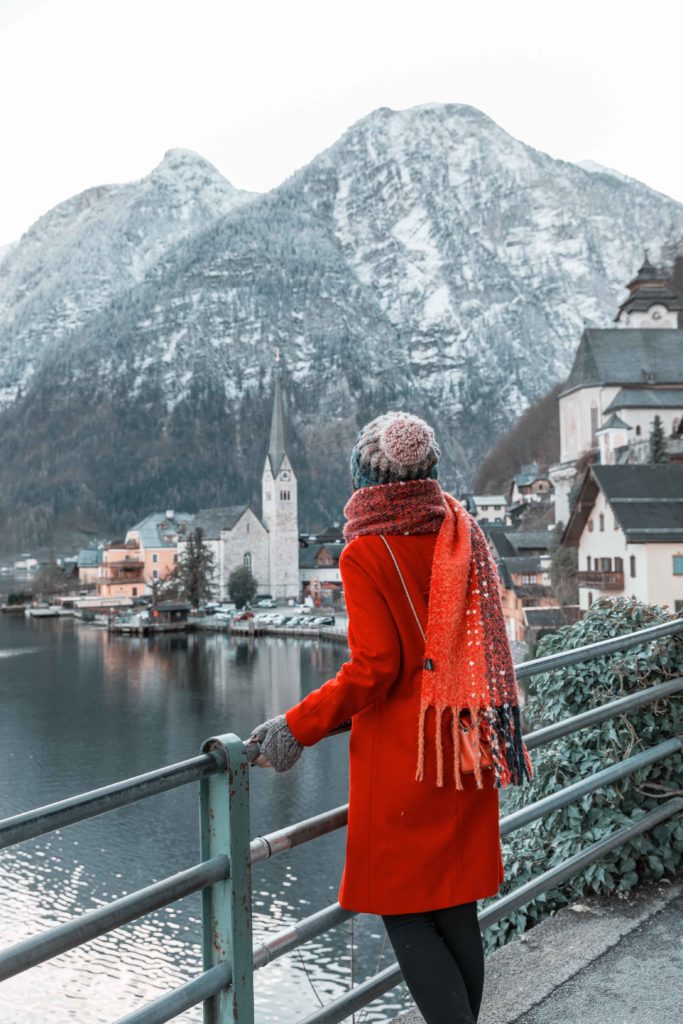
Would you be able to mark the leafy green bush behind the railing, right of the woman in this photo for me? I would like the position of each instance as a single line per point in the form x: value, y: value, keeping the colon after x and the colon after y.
x: 560, y: 695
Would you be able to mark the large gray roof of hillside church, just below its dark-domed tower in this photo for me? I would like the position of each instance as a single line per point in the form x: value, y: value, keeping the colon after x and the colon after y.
x: 625, y: 356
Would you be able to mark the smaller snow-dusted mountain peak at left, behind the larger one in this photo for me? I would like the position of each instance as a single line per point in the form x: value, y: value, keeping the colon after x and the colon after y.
x: 95, y: 246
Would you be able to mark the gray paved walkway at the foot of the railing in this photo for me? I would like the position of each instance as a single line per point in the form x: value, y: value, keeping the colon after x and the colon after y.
x: 599, y: 962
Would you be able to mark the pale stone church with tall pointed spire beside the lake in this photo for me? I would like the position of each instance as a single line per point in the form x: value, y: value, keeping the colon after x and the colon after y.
x: 268, y: 546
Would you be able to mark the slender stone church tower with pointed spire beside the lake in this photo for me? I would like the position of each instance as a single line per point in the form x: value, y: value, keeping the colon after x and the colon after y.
x: 279, y: 501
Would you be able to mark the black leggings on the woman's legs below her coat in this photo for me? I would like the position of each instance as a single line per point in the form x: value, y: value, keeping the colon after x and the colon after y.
x: 441, y: 955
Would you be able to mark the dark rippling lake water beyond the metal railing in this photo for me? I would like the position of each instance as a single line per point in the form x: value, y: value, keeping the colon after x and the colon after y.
x: 80, y: 709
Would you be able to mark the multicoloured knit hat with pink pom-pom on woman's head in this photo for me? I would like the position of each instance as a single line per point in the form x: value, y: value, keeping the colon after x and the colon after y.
x: 393, y: 448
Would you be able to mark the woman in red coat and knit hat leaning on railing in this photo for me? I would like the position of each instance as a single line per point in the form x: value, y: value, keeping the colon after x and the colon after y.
x: 431, y: 665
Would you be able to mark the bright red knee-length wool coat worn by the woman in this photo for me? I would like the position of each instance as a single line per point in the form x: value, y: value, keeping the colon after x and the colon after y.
x: 410, y: 846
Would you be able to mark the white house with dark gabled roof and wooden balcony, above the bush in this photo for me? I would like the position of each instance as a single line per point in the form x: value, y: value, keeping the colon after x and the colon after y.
x: 628, y: 526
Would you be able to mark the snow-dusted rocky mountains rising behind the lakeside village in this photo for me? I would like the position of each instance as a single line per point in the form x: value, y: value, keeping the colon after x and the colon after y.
x: 428, y: 262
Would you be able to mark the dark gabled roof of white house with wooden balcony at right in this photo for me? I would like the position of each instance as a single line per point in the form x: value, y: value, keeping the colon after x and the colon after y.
x: 648, y: 502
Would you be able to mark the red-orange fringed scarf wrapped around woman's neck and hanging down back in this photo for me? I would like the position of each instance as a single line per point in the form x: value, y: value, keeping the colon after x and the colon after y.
x: 468, y: 664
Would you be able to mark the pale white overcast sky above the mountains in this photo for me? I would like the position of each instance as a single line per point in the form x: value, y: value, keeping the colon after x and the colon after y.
x: 96, y: 92
